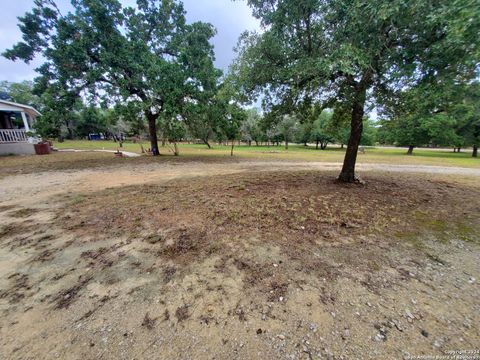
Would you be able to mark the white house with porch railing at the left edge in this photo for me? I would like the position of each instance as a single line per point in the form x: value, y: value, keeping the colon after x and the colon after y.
x: 16, y: 120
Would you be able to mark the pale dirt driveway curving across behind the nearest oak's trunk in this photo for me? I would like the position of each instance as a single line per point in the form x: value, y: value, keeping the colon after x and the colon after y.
x: 33, y: 187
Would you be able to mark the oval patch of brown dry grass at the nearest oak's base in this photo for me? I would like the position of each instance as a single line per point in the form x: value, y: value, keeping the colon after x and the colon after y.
x: 304, y: 204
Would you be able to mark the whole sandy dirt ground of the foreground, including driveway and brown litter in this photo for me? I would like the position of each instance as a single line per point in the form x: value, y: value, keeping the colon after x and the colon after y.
x: 245, y: 260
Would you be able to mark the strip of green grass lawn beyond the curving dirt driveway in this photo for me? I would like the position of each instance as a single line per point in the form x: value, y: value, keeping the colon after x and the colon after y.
x: 295, y: 152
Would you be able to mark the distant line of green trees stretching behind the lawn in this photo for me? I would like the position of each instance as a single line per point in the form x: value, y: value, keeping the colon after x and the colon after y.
x: 454, y: 124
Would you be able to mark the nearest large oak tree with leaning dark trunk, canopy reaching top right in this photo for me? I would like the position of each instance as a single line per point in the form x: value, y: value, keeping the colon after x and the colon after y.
x: 355, y: 52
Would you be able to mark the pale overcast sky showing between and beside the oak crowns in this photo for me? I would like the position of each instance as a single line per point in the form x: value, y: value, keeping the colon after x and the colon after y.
x: 229, y: 17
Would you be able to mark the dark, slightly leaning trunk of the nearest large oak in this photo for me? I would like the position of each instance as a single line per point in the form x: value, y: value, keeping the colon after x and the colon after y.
x: 356, y: 128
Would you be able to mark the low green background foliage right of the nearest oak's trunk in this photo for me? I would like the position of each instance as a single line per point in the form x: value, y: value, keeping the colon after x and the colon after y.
x: 440, y: 114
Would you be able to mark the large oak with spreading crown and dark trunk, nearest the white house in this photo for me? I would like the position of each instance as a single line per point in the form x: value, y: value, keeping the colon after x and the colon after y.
x: 146, y: 54
